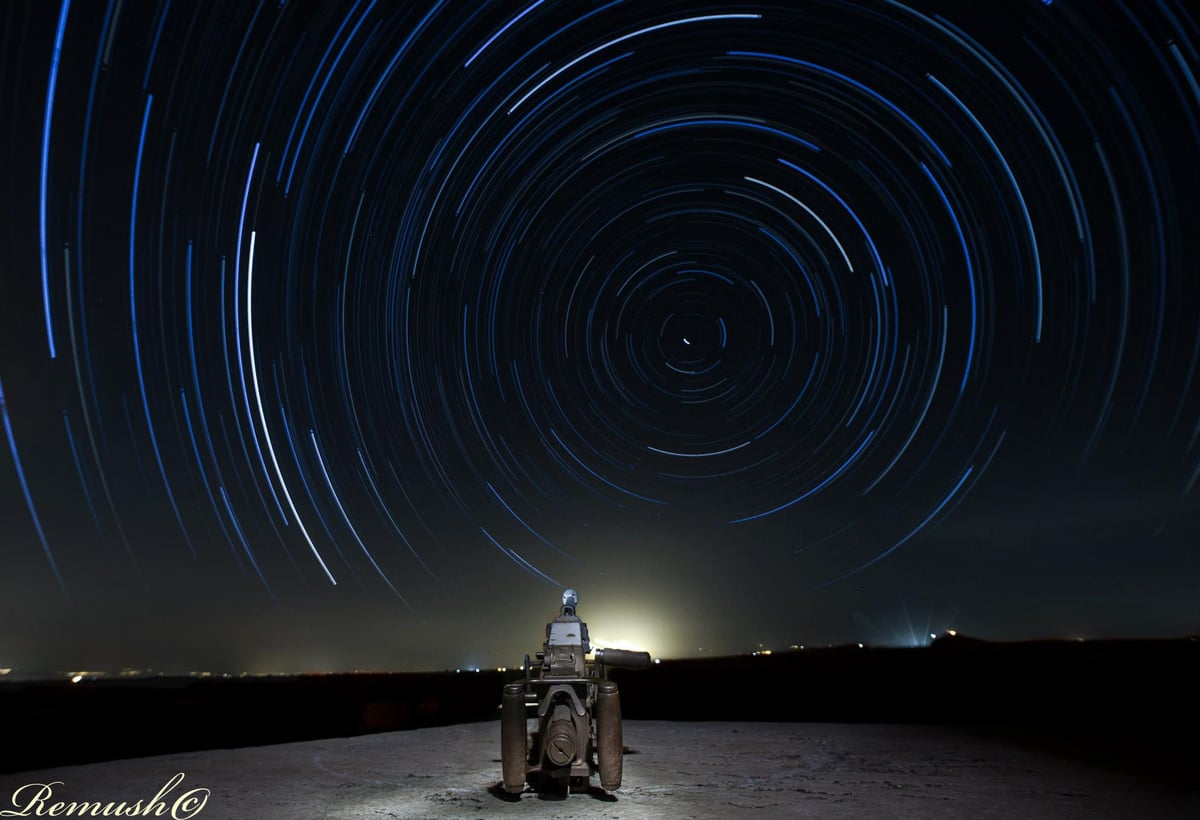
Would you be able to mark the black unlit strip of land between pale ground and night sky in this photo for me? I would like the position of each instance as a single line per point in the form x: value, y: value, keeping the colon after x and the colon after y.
x: 1120, y: 705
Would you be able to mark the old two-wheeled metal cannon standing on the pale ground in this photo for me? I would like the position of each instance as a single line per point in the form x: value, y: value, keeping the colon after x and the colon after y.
x: 561, y: 723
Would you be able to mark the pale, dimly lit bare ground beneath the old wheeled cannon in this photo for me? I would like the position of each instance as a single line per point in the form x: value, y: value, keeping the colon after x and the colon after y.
x: 675, y: 770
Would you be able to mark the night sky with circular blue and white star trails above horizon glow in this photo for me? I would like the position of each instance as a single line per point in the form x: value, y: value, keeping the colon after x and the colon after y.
x: 344, y: 336
